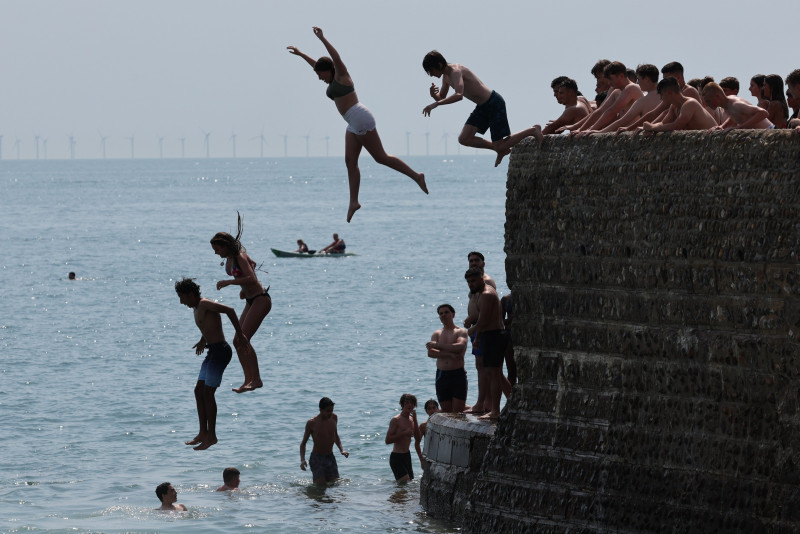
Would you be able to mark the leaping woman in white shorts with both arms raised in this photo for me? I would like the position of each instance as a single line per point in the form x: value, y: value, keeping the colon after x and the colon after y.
x: 361, y: 130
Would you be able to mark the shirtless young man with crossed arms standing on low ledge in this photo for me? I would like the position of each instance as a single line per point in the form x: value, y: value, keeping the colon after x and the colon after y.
x: 447, y: 346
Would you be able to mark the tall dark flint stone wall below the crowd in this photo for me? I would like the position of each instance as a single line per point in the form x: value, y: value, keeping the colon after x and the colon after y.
x: 656, y: 326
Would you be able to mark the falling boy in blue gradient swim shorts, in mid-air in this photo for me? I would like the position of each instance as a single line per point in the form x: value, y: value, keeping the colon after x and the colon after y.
x: 207, y: 316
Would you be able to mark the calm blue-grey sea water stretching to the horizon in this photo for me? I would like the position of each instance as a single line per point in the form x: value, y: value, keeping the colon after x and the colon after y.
x: 96, y: 375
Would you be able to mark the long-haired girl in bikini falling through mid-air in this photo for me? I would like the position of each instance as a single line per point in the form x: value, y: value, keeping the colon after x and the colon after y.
x: 258, y: 302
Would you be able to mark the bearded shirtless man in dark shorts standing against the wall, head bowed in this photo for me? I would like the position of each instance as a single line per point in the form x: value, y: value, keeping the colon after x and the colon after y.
x: 490, y: 336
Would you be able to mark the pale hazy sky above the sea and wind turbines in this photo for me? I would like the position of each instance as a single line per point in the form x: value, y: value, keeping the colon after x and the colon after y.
x: 171, y: 73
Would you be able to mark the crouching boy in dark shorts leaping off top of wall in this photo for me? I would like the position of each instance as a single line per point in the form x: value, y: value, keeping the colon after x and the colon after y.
x: 490, y: 108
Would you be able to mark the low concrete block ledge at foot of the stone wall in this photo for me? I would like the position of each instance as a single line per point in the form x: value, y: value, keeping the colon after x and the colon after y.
x: 455, y: 445
